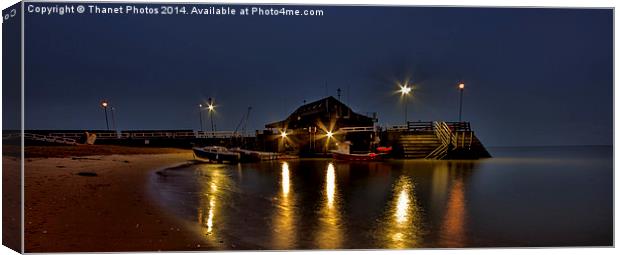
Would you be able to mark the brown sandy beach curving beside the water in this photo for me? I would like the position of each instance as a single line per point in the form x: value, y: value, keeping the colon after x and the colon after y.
x: 113, y: 211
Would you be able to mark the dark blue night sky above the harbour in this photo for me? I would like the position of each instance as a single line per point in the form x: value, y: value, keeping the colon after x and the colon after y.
x: 534, y: 76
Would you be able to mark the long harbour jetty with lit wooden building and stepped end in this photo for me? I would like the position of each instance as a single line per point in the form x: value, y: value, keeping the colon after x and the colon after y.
x: 312, y: 130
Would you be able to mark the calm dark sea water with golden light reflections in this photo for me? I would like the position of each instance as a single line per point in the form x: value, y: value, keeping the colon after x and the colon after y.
x: 551, y: 196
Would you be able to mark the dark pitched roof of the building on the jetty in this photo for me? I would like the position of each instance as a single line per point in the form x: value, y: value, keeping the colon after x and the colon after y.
x: 327, y: 110
